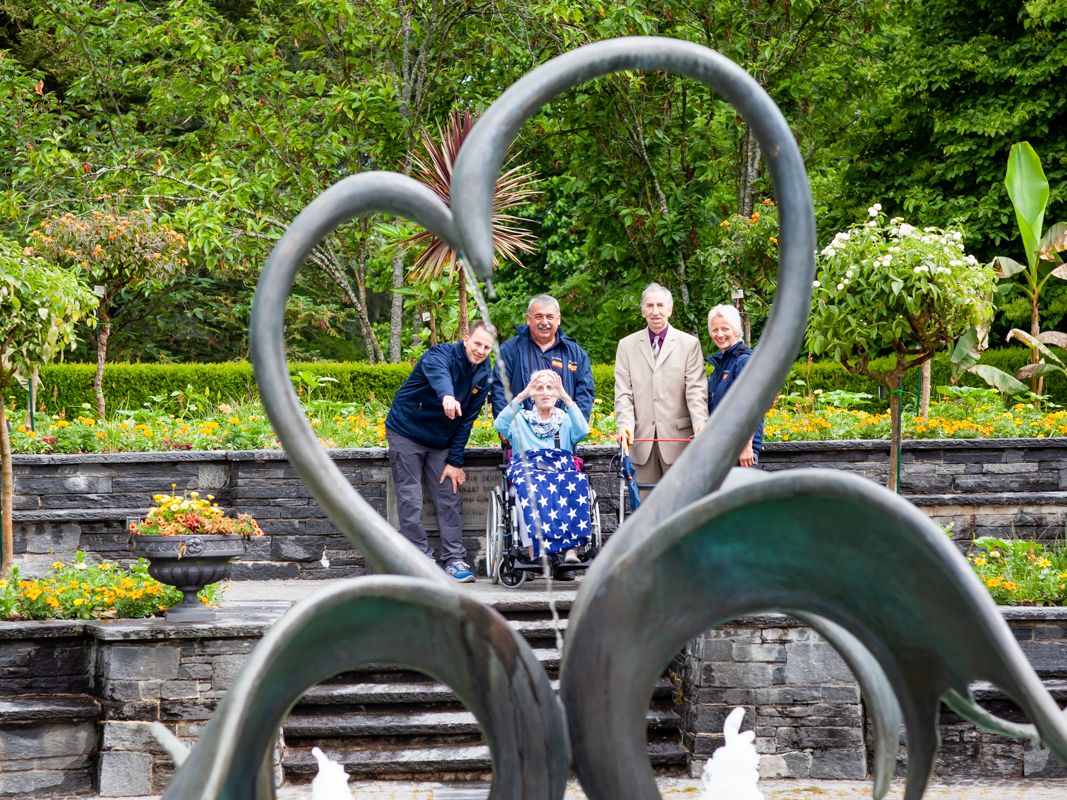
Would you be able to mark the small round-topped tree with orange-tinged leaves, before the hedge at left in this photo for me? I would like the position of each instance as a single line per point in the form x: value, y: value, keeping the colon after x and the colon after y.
x: 130, y: 260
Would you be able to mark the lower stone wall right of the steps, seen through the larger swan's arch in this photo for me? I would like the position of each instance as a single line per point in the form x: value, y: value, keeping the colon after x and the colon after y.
x: 808, y: 715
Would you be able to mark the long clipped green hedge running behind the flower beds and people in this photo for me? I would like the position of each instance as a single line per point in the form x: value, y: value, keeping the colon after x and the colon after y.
x: 69, y: 387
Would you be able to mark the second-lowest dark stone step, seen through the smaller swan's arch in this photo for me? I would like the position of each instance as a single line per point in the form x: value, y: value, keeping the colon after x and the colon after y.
x: 405, y: 723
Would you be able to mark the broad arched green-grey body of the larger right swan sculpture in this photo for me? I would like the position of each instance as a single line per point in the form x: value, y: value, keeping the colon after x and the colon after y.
x: 817, y: 541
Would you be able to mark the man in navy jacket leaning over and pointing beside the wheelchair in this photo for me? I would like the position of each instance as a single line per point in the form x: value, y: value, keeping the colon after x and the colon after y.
x: 427, y: 430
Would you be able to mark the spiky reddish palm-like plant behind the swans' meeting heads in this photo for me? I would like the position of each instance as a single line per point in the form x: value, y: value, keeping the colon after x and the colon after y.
x: 434, y: 167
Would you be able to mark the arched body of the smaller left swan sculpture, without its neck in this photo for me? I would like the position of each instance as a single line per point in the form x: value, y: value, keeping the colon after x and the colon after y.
x: 386, y: 620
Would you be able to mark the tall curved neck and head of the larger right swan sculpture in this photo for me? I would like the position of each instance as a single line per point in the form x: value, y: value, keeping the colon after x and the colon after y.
x: 706, y: 465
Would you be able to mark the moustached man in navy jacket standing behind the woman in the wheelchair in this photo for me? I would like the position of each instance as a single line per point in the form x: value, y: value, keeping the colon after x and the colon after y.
x: 542, y: 345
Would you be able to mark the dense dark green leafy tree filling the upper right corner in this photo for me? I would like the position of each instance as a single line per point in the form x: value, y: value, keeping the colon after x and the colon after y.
x: 959, y: 84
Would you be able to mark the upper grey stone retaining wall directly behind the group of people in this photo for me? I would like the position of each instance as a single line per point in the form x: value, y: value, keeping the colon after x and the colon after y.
x: 70, y: 503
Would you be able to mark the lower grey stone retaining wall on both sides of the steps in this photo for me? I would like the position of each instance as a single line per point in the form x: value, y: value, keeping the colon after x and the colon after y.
x: 115, y: 678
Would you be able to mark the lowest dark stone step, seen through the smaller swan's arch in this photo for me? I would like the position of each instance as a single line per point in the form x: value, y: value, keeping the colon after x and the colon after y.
x: 427, y: 762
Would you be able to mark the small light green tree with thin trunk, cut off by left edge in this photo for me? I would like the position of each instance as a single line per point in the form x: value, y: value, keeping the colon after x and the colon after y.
x: 40, y: 305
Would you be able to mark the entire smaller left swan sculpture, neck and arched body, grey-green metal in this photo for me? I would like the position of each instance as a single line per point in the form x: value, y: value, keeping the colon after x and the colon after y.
x: 422, y: 622
